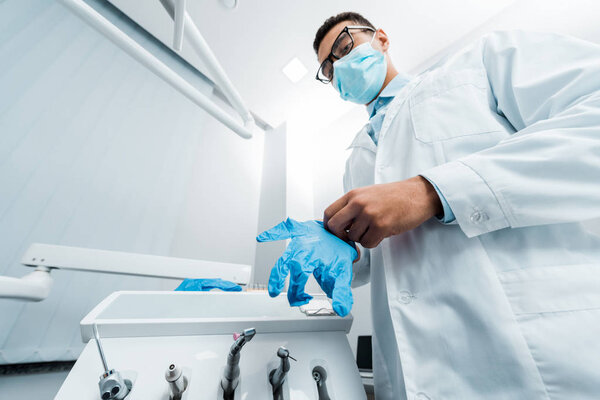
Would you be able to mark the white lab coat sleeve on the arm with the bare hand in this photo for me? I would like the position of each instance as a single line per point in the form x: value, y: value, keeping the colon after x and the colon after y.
x: 548, y: 88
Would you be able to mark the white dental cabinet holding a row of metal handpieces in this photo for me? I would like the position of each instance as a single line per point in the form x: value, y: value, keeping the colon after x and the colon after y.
x: 145, y: 334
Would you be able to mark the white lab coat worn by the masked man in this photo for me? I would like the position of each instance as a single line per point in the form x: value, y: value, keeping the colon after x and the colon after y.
x: 505, y: 302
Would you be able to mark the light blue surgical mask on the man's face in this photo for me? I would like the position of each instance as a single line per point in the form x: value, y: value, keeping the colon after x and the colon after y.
x: 359, y: 75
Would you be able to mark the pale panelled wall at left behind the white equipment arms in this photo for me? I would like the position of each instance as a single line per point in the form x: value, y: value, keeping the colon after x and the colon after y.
x: 96, y: 151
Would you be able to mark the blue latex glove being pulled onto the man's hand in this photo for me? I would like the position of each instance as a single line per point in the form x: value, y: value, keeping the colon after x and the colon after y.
x: 312, y: 250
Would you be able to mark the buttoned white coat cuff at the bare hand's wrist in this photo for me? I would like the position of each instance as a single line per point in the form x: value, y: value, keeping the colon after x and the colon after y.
x: 475, y: 205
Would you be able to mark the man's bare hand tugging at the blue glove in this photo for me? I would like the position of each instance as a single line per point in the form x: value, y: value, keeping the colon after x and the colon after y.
x: 369, y: 214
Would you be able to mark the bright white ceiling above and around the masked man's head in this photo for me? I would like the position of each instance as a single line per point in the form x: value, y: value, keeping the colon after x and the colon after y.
x: 257, y: 39
